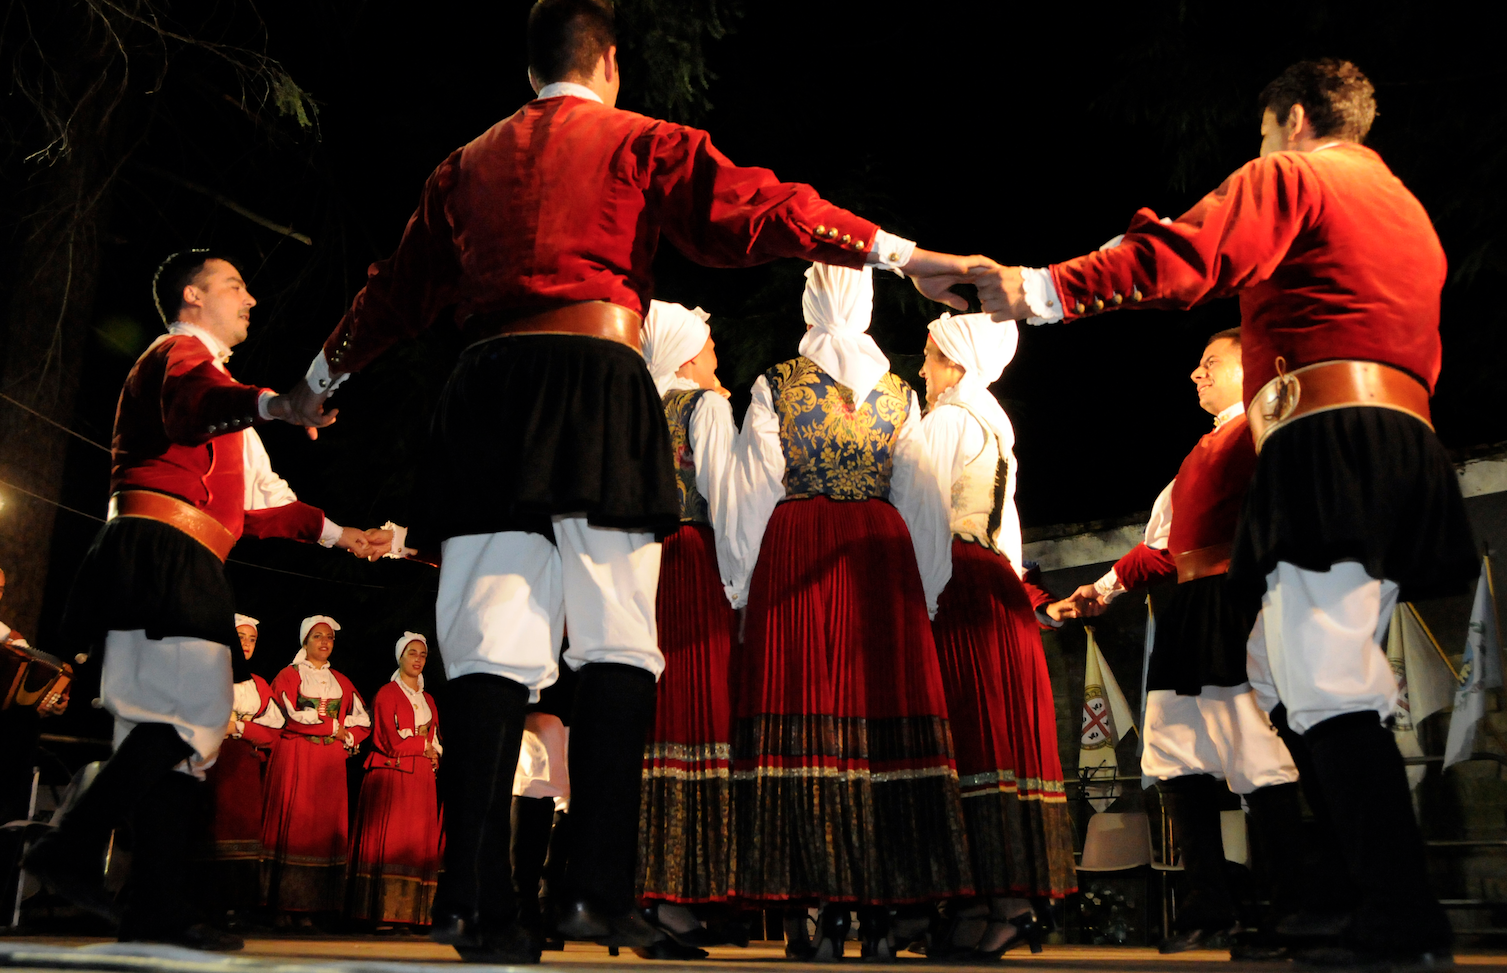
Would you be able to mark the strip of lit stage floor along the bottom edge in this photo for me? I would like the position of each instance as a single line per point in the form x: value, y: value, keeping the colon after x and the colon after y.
x: 414, y: 956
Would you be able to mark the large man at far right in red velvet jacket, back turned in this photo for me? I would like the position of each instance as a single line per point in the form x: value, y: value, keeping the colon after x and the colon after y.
x: 1354, y: 502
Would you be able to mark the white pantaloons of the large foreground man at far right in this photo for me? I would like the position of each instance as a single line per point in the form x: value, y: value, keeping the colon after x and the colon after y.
x: 1319, y: 644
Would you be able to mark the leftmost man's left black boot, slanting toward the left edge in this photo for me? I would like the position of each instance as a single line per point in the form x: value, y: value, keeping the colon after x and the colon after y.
x: 70, y: 861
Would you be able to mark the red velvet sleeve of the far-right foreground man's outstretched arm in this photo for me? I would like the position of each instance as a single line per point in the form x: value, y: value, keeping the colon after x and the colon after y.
x: 1230, y: 240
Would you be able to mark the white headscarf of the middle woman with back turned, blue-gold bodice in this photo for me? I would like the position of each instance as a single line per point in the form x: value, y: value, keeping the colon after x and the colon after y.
x: 839, y: 305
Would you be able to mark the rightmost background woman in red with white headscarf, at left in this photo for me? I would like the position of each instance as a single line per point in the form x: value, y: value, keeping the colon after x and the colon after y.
x: 397, y: 850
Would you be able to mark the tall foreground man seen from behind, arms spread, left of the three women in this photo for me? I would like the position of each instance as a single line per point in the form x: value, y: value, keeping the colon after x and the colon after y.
x: 552, y: 475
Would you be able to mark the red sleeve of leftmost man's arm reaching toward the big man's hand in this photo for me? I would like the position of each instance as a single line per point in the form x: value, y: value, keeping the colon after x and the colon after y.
x: 198, y: 400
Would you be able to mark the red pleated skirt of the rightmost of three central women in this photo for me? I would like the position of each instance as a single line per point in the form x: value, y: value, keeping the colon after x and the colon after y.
x: 1004, y: 730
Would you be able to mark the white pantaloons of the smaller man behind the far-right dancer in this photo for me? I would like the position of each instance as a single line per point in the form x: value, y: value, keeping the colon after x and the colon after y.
x: 1223, y: 733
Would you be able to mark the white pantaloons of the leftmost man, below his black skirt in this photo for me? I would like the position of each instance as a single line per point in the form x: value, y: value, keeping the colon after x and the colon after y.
x: 185, y: 683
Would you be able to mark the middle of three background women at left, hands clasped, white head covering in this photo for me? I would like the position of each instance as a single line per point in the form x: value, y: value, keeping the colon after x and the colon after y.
x: 305, y: 826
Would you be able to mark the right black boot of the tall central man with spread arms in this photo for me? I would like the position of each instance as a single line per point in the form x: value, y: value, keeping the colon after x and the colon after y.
x: 611, y: 719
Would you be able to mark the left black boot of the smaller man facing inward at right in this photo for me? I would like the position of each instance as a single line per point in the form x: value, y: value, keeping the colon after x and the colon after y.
x: 1206, y: 914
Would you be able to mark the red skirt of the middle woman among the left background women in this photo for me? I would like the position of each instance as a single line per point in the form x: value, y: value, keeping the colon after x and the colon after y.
x: 305, y: 826
